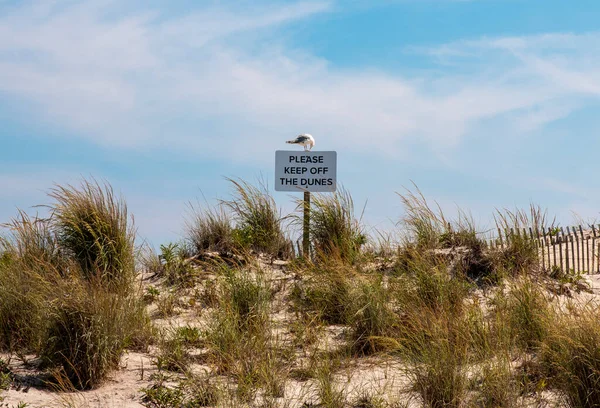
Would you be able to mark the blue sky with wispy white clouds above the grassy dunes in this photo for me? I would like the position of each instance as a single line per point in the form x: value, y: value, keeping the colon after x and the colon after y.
x: 483, y: 104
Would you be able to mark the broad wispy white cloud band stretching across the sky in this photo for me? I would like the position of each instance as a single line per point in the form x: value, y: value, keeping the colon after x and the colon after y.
x: 219, y: 81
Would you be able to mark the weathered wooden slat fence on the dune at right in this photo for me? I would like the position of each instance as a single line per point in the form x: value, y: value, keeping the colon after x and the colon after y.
x: 570, y: 248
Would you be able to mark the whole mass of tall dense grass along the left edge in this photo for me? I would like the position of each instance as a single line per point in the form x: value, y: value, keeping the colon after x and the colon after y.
x: 66, y: 285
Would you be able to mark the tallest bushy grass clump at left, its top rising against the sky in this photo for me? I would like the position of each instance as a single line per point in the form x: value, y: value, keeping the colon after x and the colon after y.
x: 92, y: 224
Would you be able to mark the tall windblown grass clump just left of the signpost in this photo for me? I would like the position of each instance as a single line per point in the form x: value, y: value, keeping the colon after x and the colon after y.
x: 258, y: 222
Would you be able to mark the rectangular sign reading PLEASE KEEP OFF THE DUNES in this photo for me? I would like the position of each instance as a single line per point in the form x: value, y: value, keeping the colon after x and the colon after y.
x: 308, y: 171
